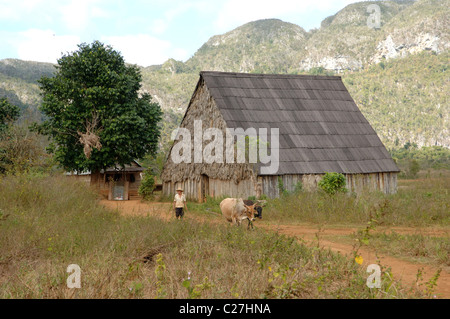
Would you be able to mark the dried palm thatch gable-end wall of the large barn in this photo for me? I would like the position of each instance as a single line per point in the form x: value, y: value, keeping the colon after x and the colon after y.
x: 201, y: 179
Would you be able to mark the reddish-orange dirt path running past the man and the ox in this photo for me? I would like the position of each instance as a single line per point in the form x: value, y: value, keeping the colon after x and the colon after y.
x: 403, y: 270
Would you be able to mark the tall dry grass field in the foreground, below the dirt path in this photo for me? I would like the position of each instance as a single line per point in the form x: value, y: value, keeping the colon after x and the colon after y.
x: 47, y: 223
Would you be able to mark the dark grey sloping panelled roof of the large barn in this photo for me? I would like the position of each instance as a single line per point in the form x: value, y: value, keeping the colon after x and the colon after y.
x: 321, y: 128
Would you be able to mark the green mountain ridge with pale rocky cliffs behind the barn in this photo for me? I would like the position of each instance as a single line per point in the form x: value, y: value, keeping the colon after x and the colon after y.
x: 397, y: 71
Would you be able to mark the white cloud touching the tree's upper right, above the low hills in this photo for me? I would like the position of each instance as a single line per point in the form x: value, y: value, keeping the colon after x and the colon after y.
x: 144, y: 50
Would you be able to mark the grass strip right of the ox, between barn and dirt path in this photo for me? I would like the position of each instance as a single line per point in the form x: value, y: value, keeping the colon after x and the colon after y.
x: 417, y: 203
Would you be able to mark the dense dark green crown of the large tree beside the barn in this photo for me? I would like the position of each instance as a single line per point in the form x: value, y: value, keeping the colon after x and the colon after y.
x: 94, y: 112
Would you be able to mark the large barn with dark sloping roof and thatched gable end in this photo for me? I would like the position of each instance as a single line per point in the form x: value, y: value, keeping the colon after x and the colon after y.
x: 320, y: 130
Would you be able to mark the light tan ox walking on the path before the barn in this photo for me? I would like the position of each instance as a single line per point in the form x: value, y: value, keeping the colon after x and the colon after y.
x: 234, y: 210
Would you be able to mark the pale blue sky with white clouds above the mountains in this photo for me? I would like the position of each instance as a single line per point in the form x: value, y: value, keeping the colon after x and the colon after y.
x: 145, y: 32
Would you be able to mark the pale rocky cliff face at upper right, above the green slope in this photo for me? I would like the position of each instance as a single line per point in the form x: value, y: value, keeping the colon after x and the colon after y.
x: 348, y: 40
